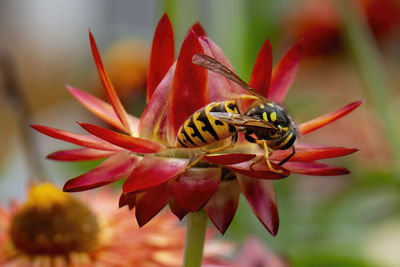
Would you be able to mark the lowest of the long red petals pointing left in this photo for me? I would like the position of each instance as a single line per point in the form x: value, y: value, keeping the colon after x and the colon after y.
x: 111, y: 170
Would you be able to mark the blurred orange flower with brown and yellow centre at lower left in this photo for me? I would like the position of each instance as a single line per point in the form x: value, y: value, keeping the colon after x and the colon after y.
x: 55, y: 229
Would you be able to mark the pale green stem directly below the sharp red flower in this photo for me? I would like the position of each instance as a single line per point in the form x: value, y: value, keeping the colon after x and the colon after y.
x: 195, y: 235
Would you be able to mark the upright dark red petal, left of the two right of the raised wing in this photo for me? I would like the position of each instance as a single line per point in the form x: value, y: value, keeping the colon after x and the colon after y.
x: 260, y: 78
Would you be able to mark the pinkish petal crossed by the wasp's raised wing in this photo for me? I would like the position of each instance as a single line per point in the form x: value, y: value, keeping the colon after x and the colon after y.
x: 220, y: 88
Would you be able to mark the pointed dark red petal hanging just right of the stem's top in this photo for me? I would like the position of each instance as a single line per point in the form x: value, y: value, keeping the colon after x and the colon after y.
x: 222, y: 206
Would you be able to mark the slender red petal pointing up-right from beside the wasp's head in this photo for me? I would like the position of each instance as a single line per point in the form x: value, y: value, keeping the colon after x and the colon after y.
x: 323, y: 120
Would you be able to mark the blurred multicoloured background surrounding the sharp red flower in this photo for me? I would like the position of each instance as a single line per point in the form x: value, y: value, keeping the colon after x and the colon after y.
x: 351, y: 220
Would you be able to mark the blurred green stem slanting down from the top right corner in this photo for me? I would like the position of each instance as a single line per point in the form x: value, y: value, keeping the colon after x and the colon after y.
x: 369, y: 61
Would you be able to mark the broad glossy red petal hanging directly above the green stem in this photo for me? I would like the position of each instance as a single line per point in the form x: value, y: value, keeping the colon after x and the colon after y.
x: 195, y: 187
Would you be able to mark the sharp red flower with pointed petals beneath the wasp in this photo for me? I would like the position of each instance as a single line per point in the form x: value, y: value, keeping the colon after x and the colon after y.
x: 176, y: 89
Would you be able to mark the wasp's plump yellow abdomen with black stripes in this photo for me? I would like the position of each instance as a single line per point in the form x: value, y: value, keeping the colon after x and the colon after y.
x: 203, y: 129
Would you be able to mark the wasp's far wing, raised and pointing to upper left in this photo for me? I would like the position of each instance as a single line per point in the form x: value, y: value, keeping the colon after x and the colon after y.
x: 216, y: 66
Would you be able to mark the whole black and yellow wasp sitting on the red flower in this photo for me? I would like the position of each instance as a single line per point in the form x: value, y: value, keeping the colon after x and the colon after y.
x: 264, y: 123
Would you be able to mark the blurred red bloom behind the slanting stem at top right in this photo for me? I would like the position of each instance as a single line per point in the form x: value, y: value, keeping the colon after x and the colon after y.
x: 318, y: 22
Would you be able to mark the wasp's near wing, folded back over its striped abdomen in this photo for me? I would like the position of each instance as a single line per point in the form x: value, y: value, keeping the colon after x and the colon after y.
x: 242, y: 120
